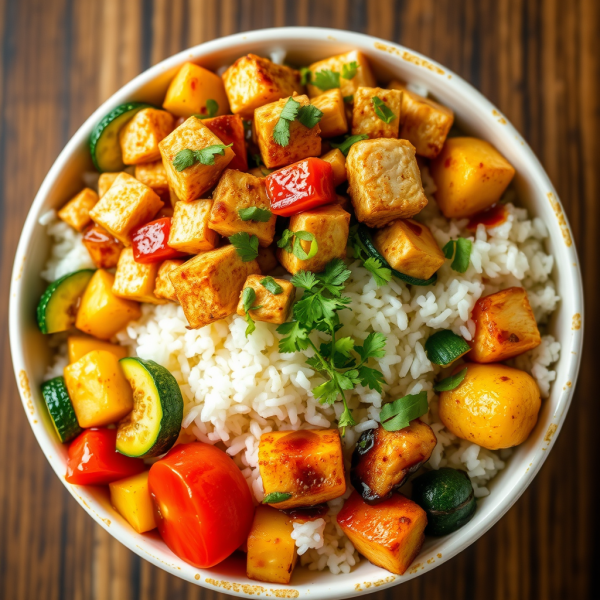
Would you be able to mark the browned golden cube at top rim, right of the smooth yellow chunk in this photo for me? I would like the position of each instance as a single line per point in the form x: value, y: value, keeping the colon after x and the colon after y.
x: 252, y: 81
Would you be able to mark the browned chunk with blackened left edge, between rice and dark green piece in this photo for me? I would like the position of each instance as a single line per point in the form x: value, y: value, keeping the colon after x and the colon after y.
x: 382, y: 460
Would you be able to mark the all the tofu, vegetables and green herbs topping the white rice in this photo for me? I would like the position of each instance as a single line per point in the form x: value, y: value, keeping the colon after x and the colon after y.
x: 194, y: 225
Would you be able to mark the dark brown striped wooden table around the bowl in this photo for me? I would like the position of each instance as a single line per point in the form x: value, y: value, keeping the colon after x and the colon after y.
x: 538, y: 60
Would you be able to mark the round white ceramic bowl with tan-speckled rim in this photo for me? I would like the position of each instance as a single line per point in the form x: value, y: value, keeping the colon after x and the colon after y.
x: 476, y: 116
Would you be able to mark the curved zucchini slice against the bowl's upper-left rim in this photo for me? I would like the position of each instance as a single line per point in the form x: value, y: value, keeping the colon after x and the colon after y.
x: 104, y: 141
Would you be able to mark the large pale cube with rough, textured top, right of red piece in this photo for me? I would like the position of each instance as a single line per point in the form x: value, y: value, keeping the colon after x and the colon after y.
x: 385, y: 181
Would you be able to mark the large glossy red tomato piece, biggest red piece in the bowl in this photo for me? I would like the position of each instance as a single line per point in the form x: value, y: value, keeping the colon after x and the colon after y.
x: 202, y: 503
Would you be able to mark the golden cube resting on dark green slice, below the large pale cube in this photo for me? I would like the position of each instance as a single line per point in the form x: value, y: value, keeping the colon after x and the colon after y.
x: 410, y: 248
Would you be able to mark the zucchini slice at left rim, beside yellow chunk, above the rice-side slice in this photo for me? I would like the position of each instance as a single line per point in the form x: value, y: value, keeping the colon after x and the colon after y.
x: 58, y: 305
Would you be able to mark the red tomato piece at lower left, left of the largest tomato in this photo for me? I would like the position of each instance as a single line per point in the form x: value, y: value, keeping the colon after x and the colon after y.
x: 94, y: 460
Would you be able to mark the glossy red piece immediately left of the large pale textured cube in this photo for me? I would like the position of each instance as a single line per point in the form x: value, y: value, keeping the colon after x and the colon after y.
x: 304, y: 185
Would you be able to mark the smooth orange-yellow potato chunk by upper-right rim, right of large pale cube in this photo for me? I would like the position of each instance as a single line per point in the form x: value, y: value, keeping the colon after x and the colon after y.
x: 470, y: 175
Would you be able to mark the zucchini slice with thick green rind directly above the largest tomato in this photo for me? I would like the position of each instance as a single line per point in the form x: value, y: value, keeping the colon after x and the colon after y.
x: 152, y: 427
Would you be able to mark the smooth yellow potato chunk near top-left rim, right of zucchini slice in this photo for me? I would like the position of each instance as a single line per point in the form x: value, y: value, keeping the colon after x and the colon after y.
x: 191, y: 88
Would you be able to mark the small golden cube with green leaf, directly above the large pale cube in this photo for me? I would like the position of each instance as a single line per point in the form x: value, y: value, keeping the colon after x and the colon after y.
x: 364, y: 115
